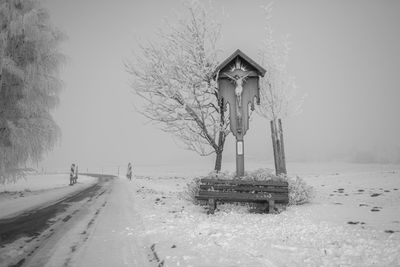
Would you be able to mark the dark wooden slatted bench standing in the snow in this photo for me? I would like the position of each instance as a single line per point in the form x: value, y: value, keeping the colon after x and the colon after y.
x: 265, y: 193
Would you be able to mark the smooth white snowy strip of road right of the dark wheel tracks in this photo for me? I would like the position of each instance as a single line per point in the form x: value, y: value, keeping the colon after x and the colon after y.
x: 115, y: 236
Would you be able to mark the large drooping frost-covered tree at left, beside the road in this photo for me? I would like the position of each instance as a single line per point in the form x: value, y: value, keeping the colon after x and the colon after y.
x: 29, y: 85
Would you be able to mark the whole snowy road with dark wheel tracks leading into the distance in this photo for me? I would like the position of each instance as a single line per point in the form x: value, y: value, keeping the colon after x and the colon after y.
x: 97, y: 227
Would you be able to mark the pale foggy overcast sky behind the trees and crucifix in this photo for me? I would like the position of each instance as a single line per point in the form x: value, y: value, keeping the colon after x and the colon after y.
x: 345, y: 56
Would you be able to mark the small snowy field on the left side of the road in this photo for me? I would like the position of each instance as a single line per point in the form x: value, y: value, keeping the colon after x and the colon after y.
x: 36, y: 190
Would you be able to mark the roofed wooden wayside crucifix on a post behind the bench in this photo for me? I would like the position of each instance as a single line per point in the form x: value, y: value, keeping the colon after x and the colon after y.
x: 238, y: 87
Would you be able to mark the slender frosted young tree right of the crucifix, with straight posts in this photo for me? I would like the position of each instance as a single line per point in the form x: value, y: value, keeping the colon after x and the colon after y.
x: 277, y: 89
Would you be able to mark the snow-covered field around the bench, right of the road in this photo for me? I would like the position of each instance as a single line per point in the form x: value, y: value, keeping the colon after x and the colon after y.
x: 354, y: 220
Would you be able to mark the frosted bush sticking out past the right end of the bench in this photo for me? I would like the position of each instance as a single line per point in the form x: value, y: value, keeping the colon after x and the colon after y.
x: 299, y: 191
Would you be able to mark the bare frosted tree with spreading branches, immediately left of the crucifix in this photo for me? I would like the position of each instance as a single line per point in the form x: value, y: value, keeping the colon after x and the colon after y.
x: 174, y: 77
